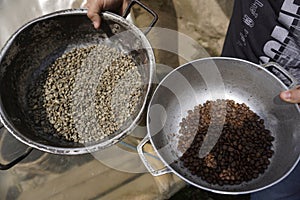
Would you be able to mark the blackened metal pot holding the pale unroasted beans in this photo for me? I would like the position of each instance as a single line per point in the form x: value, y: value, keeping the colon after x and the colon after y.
x: 36, y: 44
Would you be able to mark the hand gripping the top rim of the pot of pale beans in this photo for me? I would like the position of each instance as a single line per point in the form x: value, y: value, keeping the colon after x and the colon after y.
x: 97, y: 6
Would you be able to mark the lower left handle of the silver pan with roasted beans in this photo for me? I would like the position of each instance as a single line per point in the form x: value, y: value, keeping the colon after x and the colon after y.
x: 147, y: 164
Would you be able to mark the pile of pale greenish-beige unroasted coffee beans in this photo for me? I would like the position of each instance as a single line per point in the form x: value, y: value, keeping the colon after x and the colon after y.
x: 86, y: 94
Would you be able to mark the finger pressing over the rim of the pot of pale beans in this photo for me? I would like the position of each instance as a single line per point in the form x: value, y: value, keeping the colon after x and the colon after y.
x: 94, y: 8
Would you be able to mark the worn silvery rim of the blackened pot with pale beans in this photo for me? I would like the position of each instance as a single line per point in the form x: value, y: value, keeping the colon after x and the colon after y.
x: 102, y: 144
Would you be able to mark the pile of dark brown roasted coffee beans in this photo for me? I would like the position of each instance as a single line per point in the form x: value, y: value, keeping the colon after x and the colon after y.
x: 243, y: 149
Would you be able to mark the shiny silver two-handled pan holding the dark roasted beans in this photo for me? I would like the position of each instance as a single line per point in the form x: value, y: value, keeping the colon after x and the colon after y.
x: 214, y: 78
